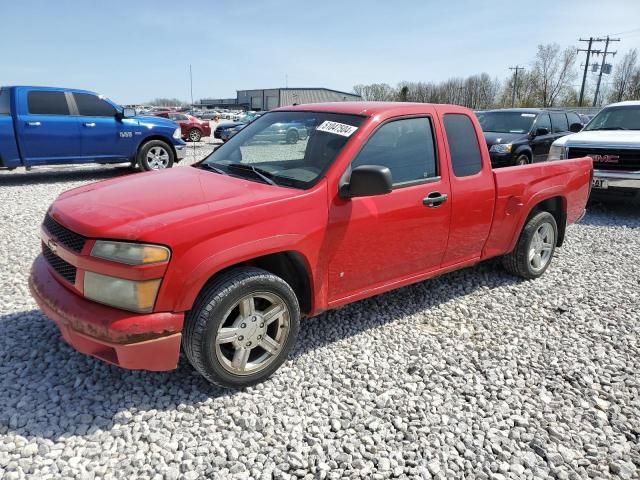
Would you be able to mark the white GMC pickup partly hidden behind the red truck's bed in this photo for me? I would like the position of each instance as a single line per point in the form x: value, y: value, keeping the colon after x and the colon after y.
x: 612, y: 140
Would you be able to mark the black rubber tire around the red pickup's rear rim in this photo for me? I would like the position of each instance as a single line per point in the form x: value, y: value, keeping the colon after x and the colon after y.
x: 518, y: 262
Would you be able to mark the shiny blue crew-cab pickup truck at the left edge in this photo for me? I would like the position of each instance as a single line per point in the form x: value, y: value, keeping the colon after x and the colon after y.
x: 55, y: 126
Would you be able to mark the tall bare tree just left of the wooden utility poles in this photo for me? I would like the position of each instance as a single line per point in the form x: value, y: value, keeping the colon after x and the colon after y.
x: 553, y: 72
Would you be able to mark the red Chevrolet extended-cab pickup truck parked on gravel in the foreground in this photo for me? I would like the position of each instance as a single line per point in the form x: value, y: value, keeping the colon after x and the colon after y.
x: 222, y: 259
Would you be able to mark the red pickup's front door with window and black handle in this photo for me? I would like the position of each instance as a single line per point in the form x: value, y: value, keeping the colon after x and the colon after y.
x: 379, y: 240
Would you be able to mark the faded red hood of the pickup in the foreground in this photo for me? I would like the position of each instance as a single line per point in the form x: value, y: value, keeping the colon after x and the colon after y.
x: 128, y: 207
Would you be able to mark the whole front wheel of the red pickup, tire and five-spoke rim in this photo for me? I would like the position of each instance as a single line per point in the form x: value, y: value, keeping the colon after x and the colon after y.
x: 242, y: 327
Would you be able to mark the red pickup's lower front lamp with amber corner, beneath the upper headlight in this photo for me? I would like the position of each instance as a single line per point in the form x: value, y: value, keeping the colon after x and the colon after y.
x: 120, y: 293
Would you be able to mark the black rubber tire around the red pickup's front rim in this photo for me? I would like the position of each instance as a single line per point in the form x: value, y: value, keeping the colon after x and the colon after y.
x: 208, y: 316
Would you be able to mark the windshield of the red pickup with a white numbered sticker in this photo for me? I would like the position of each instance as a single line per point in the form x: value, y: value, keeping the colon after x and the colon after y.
x: 293, y: 149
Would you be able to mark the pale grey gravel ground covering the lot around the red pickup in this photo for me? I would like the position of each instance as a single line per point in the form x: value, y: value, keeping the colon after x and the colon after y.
x: 475, y: 374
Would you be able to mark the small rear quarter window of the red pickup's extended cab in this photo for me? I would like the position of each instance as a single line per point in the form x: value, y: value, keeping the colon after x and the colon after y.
x: 466, y: 158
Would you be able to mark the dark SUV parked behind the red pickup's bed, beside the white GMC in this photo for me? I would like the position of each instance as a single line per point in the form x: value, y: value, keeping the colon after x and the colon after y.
x: 517, y: 136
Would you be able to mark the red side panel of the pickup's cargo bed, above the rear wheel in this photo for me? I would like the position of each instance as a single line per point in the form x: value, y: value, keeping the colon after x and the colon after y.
x: 519, y: 189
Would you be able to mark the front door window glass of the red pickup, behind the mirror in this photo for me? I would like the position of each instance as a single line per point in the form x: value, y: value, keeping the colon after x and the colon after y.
x: 405, y: 146
